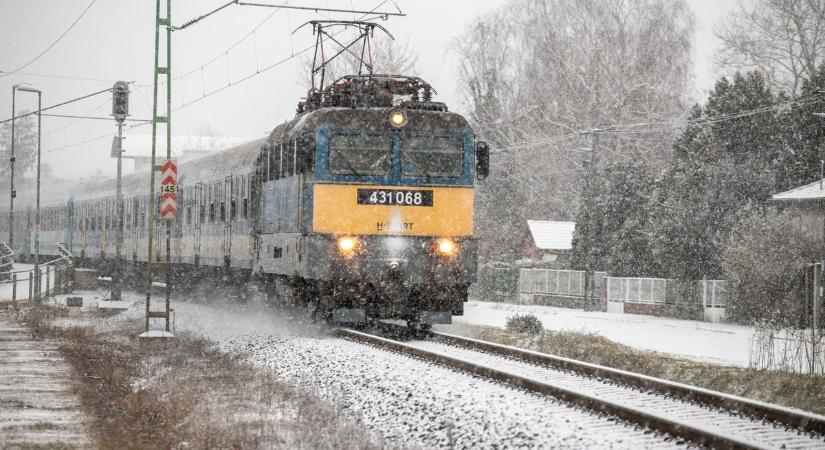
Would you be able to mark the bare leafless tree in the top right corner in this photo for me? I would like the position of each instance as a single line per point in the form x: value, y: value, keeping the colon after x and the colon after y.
x: 784, y: 39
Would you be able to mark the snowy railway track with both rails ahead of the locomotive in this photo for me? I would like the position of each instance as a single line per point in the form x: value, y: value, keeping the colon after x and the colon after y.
x: 689, y: 413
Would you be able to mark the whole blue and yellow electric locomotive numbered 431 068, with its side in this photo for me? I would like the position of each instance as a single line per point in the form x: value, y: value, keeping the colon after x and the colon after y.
x: 378, y: 220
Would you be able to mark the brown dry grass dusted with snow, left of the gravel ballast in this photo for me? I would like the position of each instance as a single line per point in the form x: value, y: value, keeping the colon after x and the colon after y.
x: 190, y: 394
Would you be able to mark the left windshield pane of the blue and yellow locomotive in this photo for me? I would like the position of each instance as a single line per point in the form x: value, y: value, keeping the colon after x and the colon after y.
x: 360, y: 155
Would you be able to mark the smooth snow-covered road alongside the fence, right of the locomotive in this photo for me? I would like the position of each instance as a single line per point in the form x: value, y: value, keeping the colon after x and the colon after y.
x: 700, y: 341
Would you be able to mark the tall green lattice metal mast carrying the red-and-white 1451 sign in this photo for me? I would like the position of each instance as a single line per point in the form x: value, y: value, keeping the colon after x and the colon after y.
x: 163, y: 70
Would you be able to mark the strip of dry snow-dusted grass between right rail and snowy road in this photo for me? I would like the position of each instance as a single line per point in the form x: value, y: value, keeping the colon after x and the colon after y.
x: 793, y: 390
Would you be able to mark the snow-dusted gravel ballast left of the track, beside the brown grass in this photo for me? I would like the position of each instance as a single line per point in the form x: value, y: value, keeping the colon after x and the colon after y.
x: 408, y: 402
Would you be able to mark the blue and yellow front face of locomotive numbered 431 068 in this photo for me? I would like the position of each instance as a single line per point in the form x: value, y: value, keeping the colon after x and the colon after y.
x: 392, y: 202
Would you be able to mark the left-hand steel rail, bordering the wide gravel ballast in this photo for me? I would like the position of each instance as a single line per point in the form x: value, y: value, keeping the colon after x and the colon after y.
x: 692, y: 433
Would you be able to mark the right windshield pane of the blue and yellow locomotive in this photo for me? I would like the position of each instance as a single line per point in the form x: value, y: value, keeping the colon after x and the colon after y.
x: 431, y: 156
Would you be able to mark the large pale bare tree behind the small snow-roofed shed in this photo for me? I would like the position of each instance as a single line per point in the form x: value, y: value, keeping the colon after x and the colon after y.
x: 538, y: 74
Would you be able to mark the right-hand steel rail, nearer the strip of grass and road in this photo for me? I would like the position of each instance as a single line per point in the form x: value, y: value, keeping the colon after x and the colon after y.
x: 759, y: 410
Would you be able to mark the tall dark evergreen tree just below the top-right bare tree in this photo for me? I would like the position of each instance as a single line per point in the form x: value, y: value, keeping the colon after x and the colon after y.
x: 721, y: 163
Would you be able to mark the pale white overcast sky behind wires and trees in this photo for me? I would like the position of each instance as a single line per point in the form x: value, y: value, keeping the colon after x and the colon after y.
x: 115, y: 41
